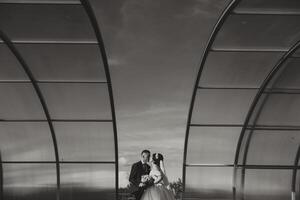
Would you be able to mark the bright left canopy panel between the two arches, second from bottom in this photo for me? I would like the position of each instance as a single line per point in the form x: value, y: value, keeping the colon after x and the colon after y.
x: 85, y: 141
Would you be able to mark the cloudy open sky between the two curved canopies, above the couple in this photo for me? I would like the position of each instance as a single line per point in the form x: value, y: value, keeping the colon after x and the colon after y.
x: 154, y: 49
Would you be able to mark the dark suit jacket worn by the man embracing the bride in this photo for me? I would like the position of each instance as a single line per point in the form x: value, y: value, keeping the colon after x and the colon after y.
x: 137, y: 171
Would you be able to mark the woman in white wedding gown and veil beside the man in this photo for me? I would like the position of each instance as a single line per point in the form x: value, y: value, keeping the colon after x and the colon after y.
x: 160, y: 189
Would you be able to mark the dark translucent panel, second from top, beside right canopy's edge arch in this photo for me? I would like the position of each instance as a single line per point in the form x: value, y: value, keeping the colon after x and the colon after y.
x: 275, y: 32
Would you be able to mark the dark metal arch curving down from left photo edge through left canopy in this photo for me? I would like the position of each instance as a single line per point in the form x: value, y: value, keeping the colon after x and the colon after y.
x: 36, y: 87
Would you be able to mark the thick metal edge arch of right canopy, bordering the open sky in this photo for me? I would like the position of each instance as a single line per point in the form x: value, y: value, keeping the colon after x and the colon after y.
x: 226, y: 12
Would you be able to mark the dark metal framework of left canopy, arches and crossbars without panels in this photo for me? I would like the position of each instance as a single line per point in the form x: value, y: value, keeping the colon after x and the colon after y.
x: 11, y: 44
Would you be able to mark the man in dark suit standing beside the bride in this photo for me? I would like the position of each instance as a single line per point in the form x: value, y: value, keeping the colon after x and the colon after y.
x: 139, y: 169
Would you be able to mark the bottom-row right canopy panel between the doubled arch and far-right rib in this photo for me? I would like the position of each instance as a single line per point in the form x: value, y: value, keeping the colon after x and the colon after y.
x: 268, y: 184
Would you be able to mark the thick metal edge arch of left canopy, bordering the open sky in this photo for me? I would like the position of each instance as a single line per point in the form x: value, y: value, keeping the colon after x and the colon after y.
x: 90, y: 12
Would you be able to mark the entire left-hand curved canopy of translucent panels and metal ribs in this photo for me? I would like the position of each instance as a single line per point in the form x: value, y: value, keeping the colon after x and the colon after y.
x: 57, y: 125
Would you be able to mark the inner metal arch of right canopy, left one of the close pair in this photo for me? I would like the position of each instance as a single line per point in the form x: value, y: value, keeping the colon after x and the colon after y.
x: 256, y: 99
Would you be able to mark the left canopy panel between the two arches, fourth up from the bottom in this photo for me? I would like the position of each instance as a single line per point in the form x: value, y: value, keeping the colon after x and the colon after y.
x: 59, y: 62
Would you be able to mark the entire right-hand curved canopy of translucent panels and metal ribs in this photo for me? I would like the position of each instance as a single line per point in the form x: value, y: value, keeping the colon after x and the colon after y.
x: 243, y: 135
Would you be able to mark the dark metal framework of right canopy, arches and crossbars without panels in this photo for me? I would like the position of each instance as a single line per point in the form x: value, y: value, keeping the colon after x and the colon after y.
x: 229, y: 10
